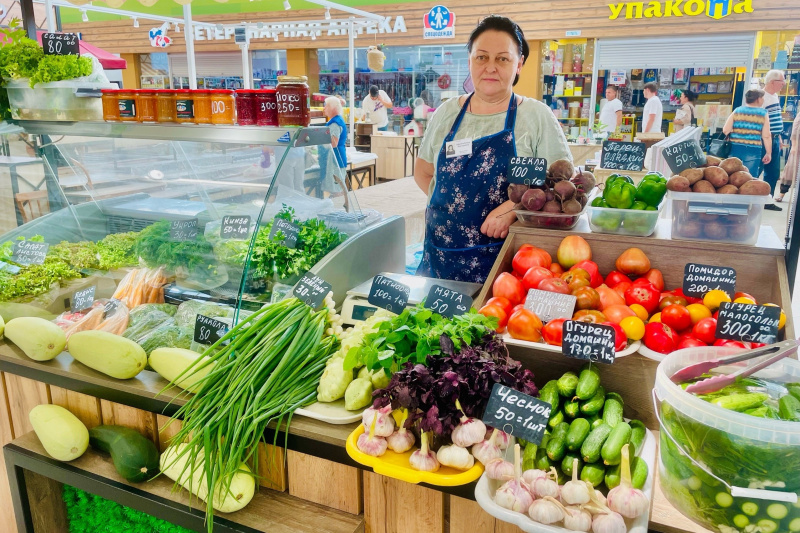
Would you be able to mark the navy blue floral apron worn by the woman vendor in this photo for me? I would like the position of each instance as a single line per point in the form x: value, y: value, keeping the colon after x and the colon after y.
x: 467, y: 189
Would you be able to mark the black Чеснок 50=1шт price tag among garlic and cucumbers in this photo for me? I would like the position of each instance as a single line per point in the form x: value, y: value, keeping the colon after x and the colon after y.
x: 518, y: 414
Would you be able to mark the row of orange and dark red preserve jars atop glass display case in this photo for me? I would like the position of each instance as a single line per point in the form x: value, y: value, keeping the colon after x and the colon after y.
x: 285, y: 106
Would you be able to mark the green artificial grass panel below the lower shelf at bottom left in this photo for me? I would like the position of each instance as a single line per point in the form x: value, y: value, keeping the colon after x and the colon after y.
x: 88, y: 513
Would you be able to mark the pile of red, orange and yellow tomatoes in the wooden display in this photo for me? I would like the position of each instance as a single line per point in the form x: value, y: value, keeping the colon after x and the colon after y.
x: 631, y: 299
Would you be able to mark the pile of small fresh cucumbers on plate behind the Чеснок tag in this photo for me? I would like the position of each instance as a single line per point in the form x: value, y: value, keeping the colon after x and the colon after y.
x: 586, y: 424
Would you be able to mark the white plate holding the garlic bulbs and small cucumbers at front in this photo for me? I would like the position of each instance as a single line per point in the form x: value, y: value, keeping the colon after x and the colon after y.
x: 484, y: 495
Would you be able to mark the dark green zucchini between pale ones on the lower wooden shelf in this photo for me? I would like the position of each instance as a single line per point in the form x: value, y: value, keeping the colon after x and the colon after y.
x: 135, y: 457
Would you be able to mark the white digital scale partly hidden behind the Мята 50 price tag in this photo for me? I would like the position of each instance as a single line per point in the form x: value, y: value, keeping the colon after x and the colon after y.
x: 356, y: 308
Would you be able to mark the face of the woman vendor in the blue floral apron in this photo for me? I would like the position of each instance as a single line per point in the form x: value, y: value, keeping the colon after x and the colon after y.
x: 493, y: 63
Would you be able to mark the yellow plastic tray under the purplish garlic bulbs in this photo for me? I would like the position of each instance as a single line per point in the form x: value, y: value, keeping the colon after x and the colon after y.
x: 395, y: 465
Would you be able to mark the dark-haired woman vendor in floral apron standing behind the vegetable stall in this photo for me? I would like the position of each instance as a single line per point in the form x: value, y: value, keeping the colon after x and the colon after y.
x: 466, y: 151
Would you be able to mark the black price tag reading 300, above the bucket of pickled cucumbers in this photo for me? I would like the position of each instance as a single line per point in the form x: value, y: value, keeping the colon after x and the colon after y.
x: 748, y: 322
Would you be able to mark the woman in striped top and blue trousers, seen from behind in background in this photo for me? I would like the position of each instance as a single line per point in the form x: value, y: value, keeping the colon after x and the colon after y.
x: 748, y: 127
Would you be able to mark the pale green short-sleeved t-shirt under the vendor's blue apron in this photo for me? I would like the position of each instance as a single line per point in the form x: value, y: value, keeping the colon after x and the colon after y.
x: 536, y: 131
